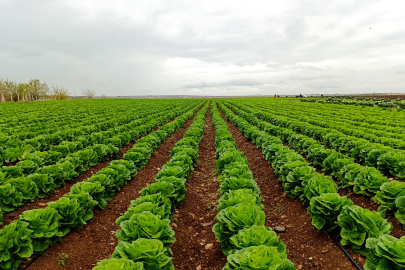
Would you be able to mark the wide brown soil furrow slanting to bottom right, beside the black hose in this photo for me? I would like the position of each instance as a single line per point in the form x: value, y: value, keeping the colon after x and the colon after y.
x: 307, y: 247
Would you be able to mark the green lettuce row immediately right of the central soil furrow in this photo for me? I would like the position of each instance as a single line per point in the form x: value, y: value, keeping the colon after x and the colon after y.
x: 240, y: 229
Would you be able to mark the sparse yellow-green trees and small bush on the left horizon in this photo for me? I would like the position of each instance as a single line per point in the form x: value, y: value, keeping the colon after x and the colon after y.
x: 34, y: 90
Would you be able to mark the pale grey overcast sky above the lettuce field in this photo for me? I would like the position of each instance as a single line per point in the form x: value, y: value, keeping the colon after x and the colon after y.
x: 206, y: 47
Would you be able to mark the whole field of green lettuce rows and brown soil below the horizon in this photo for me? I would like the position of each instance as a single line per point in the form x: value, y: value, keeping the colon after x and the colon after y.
x: 237, y: 183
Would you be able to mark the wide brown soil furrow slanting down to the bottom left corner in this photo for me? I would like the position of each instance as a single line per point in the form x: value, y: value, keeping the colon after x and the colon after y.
x: 95, y: 241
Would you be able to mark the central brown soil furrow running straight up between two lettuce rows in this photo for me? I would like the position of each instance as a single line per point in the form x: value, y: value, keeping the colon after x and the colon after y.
x: 196, y: 214
